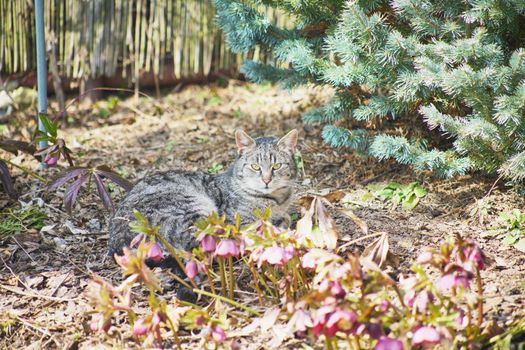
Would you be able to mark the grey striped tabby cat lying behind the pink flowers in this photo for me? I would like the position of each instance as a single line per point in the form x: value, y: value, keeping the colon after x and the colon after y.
x: 263, y: 175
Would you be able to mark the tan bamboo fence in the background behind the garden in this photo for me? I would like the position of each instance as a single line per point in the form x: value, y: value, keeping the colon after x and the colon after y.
x: 96, y: 38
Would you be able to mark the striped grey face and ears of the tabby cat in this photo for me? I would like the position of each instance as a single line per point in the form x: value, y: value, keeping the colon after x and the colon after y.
x: 266, y: 165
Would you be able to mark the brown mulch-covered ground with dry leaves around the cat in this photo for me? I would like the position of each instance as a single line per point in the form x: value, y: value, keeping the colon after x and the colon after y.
x: 44, y: 273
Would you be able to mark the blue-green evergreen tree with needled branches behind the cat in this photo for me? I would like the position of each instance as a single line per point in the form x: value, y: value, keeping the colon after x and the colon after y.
x: 458, y: 66
